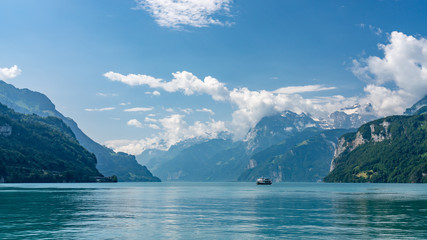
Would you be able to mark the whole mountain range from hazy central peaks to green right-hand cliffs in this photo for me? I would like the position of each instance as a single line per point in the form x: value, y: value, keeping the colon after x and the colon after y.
x: 298, y: 147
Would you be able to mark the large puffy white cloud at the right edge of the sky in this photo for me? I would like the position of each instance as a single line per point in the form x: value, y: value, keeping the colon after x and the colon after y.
x: 397, y: 80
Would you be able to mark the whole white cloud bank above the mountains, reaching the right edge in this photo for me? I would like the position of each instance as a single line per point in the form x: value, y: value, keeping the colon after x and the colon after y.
x: 394, y: 82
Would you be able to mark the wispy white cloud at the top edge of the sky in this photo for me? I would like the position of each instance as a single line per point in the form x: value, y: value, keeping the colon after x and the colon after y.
x: 178, y: 13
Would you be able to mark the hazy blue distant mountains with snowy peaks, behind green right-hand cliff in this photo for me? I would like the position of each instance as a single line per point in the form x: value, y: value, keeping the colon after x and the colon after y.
x: 284, y: 147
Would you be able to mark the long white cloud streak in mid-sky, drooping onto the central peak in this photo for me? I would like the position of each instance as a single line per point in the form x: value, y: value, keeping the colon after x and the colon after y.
x: 251, y: 105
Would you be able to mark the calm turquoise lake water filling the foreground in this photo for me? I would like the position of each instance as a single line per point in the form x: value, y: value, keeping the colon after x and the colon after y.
x: 213, y: 211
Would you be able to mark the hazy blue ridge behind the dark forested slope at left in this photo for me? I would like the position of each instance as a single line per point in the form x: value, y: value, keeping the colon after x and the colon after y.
x: 124, y: 166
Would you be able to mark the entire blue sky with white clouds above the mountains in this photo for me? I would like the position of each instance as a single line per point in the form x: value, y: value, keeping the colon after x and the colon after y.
x: 147, y: 74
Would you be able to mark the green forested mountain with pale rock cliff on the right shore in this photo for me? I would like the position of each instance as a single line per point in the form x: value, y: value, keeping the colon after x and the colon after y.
x: 387, y: 150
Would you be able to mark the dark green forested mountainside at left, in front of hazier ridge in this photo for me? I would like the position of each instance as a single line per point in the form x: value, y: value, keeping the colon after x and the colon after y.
x: 41, y: 149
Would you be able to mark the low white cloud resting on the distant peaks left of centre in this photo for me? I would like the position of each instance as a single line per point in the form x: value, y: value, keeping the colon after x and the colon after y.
x: 174, y: 129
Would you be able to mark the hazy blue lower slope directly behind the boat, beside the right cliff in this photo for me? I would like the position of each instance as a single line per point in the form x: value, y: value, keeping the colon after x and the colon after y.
x: 306, y: 157
